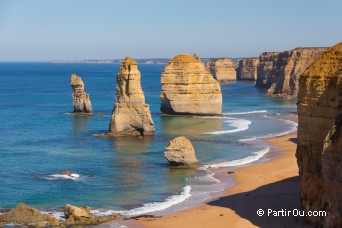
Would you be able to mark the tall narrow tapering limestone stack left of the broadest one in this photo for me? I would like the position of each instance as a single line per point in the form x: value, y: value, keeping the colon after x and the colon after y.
x: 130, y: 116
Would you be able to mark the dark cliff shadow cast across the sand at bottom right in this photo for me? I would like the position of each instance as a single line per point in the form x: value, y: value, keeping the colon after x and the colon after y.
x: 280, y: 195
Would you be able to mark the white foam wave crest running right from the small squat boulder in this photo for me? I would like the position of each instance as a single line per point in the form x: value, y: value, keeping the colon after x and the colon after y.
x: 243, y: 161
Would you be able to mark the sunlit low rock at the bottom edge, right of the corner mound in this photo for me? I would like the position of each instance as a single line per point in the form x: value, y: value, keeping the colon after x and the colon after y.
x: 82, y: 216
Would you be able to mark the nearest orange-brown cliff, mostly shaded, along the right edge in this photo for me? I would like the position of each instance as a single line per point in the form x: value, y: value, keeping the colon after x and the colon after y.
x: 319, y: 150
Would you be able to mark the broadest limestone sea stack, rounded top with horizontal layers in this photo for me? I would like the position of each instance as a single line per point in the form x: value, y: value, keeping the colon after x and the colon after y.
x: 189, y: 89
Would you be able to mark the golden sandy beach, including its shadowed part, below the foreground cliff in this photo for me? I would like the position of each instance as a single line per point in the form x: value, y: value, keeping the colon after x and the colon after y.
x: 271, y: 185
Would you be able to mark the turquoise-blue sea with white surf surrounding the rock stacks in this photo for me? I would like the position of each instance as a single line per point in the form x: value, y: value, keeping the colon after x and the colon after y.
x: 39, y: 138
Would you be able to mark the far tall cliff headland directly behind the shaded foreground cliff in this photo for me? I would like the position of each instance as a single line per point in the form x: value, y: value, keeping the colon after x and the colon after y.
x: 287, y: 69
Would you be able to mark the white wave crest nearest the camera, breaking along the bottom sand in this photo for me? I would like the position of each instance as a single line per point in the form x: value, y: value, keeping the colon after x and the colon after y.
x: 150, y: 207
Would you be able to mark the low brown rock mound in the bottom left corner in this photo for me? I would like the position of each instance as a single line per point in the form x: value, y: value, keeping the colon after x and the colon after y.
x: 25, y: 215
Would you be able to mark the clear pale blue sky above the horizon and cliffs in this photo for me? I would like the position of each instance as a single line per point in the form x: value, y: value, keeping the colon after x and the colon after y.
x: 79, y: 29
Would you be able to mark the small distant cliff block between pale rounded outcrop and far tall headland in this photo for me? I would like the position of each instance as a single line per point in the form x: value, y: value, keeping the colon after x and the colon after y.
x: 247, y: 69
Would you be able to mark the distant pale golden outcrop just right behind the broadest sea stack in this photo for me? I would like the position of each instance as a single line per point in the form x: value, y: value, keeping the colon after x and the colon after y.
x: 222, y: 69
